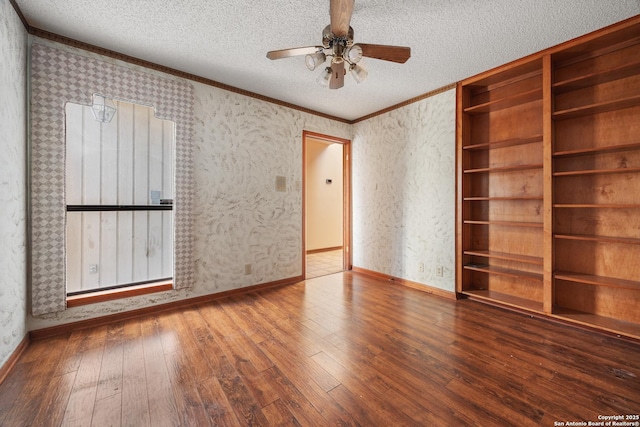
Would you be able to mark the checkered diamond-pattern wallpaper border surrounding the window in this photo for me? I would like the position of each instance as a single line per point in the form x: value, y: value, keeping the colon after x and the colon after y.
x: 58, y: 77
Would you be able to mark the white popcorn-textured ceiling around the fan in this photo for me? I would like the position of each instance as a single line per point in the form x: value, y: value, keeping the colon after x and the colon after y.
x: 226, y: 40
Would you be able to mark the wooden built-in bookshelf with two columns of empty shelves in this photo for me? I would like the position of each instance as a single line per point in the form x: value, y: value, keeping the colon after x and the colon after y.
x: 548, y: 166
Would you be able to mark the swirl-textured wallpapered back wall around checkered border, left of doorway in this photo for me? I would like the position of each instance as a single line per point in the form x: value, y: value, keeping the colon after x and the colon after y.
x: 240, y: 145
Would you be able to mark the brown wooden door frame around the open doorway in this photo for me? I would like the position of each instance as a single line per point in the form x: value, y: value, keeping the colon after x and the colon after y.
x: 346, y: 197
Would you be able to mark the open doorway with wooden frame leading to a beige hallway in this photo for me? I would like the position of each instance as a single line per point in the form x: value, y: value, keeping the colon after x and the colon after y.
x: 326, y: 204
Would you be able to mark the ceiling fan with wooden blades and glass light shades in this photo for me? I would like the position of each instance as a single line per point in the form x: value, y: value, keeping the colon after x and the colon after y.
x: 337, y: 44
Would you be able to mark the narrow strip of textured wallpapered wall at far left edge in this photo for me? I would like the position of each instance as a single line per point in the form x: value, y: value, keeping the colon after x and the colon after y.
x: 13, y: 140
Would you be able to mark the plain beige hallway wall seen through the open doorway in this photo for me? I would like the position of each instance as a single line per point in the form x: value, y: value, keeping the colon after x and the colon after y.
x: 324, y: 201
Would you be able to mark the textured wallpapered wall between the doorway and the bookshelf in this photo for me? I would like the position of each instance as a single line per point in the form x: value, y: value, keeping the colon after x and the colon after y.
x: 404, y: 192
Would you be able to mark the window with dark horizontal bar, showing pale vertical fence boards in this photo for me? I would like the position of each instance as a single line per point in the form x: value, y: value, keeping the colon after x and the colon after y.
x: 119, y: 185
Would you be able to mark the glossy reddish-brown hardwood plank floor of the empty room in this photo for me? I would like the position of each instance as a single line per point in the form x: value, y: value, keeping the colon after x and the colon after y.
x: 344, y: 349
